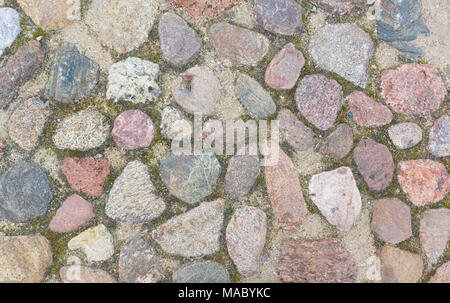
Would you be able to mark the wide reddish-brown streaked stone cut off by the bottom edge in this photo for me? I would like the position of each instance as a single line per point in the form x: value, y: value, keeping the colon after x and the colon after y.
x: 317, y: 261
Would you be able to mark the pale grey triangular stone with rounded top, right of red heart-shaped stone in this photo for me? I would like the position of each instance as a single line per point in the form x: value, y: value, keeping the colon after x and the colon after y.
x: 133, y: 197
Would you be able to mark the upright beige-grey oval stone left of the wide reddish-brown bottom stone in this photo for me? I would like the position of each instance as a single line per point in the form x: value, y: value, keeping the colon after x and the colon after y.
x: 246, y: 236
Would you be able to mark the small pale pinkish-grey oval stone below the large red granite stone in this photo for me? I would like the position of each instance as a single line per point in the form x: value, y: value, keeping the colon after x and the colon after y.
x: 405, y: 135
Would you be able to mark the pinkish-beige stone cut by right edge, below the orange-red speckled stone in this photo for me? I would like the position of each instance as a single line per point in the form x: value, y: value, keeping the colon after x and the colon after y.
x: 434, y: 232
